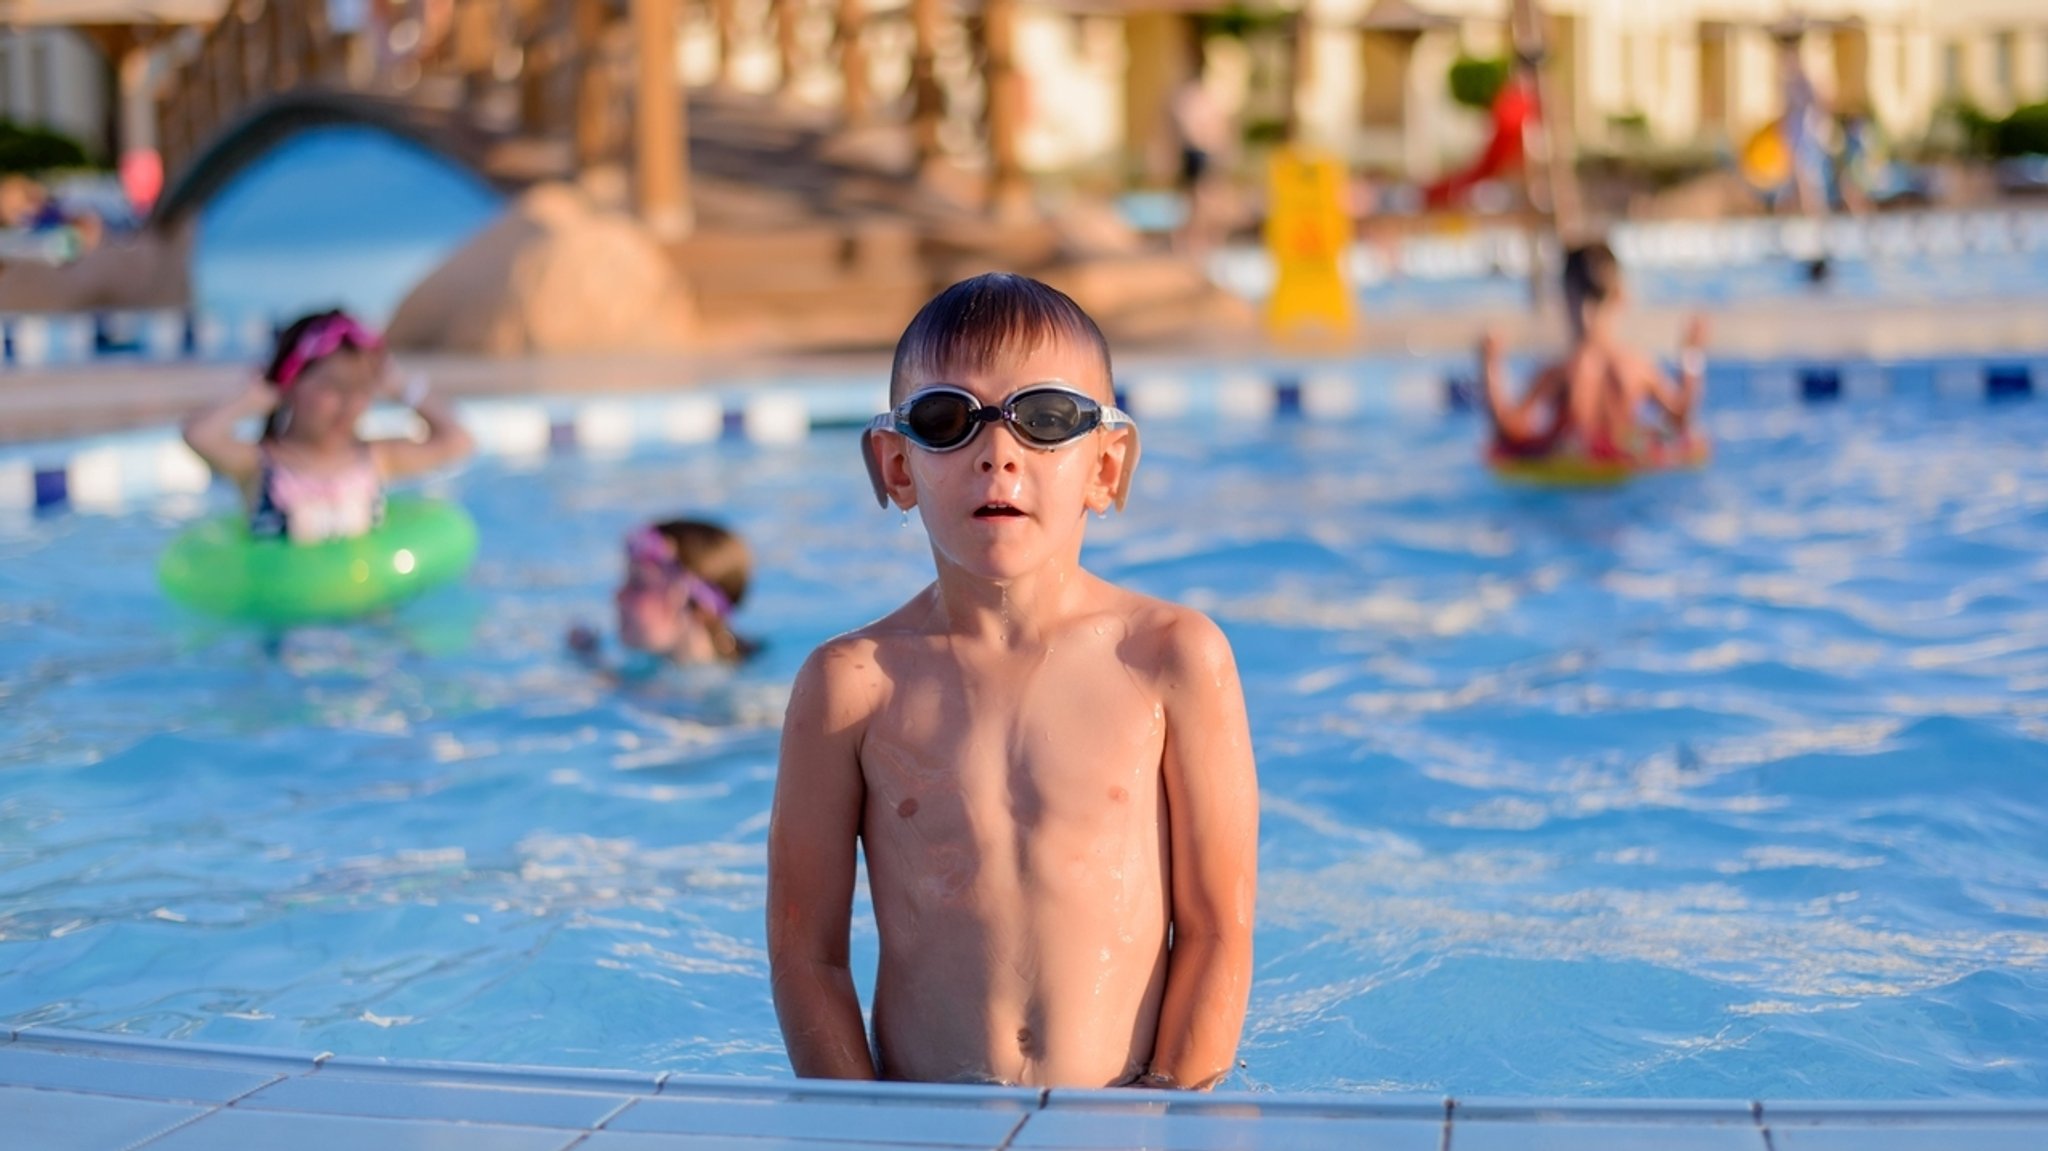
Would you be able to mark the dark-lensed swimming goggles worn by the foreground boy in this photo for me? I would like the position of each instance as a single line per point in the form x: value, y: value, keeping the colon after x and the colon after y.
x: 1046, y: 417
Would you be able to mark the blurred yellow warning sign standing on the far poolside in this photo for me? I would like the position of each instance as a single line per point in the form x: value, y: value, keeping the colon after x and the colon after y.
x: 1308, y: 232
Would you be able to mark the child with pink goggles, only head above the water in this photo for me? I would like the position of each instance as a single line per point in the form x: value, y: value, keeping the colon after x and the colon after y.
x: 683, y: 583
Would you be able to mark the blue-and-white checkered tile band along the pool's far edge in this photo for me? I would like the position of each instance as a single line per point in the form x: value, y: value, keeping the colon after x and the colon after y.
x: 110, y: 474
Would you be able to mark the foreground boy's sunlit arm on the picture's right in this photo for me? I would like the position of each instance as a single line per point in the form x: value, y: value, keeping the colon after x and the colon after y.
x: 1213, y: 826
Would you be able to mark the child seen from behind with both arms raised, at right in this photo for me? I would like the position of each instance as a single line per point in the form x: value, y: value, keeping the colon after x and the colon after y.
x: 1588, y: 402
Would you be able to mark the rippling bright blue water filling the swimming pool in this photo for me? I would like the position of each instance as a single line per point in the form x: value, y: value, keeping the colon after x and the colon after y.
x: 1723, y: 785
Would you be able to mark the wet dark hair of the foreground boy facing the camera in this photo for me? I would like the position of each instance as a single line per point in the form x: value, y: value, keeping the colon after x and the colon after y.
x: 984, y: 323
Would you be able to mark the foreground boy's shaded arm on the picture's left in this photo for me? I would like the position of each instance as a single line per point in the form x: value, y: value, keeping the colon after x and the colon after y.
x: 812, y: 835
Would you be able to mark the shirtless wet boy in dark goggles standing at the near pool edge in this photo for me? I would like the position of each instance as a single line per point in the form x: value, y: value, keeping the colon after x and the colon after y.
x: 1050, y: 777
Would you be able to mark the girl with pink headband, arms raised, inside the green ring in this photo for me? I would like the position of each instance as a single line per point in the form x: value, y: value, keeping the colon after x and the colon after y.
x: 310, y: 476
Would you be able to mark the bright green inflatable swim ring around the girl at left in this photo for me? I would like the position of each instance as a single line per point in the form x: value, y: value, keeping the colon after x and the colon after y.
x: 218, y: 568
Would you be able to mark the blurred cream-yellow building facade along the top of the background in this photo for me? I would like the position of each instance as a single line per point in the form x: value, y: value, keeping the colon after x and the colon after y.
x: 1365, y: 79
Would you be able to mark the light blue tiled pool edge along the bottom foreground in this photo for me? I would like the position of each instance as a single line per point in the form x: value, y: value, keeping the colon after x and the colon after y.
x: 65, y: 1091
